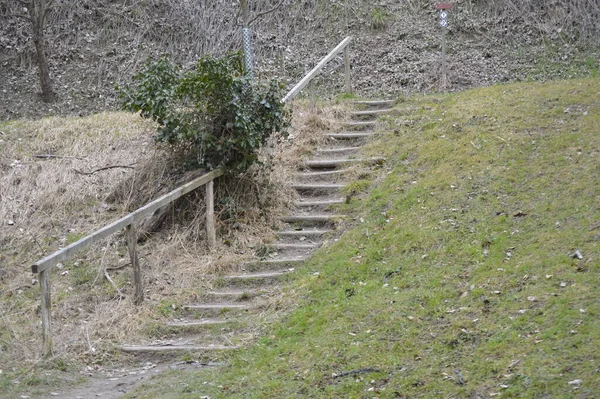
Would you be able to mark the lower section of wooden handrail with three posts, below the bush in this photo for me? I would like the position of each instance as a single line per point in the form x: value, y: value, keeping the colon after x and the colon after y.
x: 43, y: 266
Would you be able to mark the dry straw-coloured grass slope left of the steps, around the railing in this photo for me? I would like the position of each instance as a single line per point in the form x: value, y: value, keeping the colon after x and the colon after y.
x: 51, y: 206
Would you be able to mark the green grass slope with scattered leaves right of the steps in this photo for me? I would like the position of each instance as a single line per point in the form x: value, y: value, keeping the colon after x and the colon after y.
x: 463, y: 262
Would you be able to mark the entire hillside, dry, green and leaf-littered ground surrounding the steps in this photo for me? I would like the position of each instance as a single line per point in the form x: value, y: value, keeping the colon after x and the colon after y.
x: 474, y: 248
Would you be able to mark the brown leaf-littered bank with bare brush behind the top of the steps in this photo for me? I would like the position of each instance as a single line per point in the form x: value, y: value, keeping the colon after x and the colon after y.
x: 93, y: 45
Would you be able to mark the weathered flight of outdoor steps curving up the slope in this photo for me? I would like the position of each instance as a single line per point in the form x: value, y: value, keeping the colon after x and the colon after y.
x: 217, y: 322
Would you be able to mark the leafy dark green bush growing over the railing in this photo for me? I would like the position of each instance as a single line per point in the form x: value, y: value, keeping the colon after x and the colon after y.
x: 213, y: 111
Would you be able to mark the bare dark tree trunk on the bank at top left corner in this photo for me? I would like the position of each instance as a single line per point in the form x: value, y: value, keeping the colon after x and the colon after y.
x: 35, y: 12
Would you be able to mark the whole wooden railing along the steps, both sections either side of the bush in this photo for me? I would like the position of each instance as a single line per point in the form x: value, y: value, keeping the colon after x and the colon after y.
x: 44, y: 266
